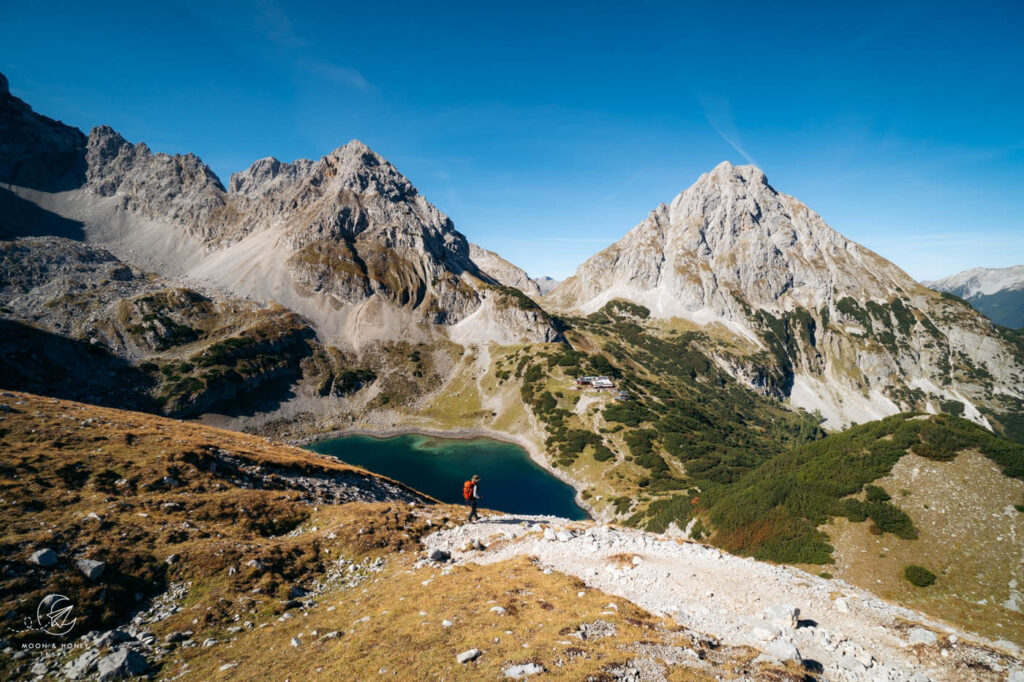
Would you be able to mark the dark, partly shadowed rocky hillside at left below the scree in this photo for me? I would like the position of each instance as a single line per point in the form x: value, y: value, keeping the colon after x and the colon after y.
x: 77, y: 319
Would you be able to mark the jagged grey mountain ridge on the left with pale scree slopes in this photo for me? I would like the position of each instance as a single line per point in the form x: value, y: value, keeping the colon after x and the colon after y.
x: 346, y: 241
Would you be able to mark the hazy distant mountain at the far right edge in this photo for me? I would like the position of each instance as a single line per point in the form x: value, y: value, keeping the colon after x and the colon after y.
x: 999, y: 293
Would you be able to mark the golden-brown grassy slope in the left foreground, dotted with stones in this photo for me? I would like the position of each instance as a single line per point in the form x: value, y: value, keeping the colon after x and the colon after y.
x: 63, y: 460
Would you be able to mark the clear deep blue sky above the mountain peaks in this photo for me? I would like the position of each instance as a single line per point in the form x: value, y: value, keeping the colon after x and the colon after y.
x: 547, y: 133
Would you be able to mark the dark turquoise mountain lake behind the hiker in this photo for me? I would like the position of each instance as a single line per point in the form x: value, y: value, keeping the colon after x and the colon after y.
x: 510, y: 482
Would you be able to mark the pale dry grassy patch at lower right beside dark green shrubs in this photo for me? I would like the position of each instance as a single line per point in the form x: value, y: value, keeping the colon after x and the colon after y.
x: 970, y: 537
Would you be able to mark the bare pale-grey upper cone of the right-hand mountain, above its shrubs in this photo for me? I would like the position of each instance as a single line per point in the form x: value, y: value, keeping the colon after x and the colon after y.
x: 730, y: 241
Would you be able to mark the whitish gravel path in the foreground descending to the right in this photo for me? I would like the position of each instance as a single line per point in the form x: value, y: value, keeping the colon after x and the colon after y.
x: 841, y: 632
